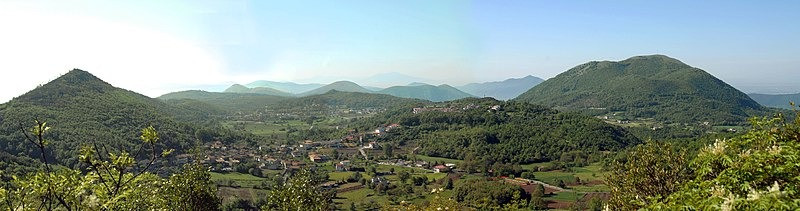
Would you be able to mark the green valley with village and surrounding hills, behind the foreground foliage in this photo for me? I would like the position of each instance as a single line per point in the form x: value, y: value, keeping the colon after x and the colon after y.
x: 372, y: 150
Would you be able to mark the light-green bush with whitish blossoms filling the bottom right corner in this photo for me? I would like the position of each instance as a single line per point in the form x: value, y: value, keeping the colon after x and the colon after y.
x: 755, y: 171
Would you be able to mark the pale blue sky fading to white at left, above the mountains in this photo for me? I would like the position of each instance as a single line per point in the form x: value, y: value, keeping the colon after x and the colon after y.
x: 156, y: 47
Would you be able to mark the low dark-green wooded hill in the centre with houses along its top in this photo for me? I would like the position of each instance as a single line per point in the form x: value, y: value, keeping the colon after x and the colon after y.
x: 496, y: 131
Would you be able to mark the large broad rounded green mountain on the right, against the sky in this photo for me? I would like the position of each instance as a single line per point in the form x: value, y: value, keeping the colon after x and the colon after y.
x: 654, y: 86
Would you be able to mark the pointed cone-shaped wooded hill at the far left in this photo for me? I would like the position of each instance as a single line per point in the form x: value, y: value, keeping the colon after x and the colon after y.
x: 82, y: 109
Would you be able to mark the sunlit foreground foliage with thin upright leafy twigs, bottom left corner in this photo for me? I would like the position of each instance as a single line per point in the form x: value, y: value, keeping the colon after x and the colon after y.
x: 110, y: 183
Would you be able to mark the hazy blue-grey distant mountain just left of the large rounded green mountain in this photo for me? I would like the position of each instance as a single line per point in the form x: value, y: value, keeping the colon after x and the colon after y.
x: 502, y: 90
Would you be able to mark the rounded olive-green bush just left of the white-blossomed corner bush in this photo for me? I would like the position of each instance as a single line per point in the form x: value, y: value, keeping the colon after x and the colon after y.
x: 652, y: 172
